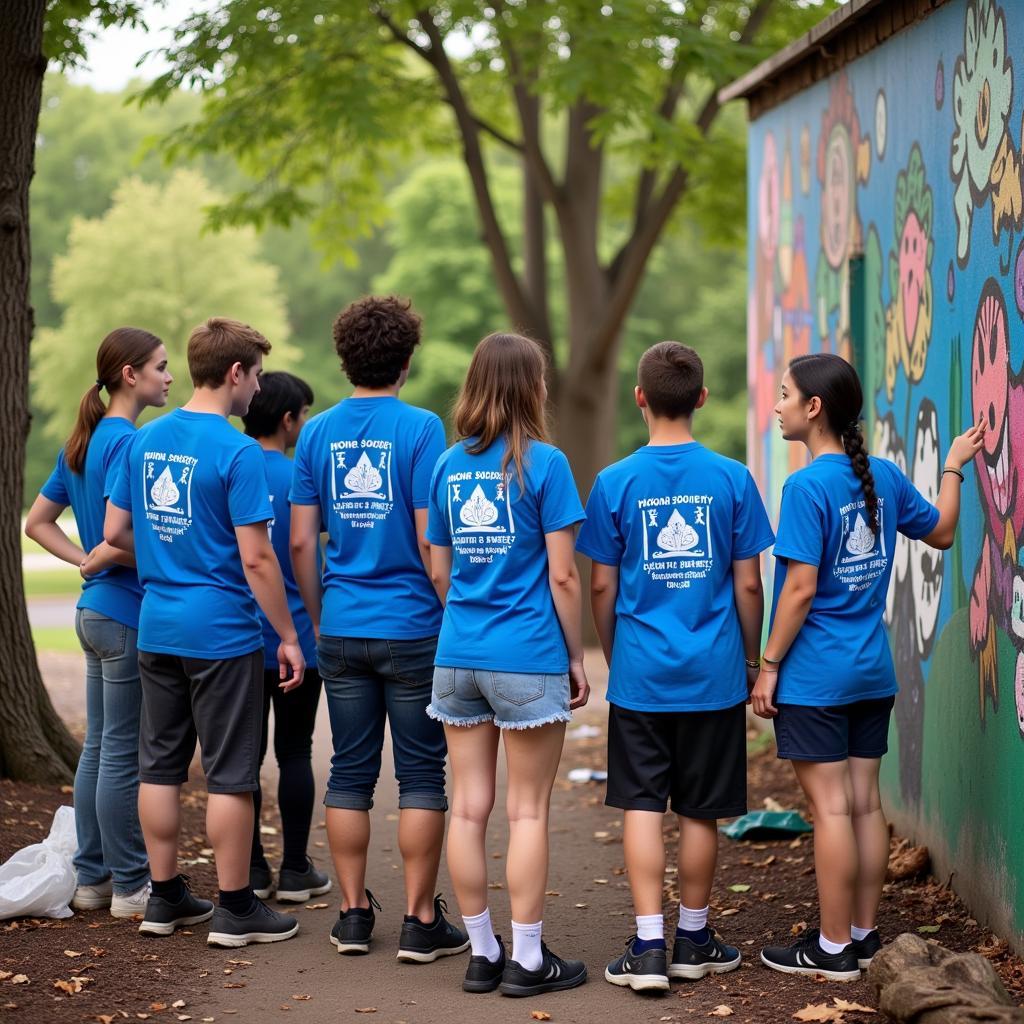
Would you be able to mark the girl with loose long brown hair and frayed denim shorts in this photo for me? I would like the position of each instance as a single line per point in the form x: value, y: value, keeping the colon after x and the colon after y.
x: 502, y: 523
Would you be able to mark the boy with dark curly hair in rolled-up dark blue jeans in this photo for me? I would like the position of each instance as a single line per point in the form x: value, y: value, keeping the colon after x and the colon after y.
x: 363, y: 475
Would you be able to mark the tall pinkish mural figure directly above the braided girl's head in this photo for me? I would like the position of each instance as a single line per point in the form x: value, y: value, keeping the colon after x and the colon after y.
x: 844, y: 161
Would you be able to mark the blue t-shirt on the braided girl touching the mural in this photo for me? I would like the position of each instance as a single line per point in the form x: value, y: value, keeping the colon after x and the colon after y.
x: 841, y: 654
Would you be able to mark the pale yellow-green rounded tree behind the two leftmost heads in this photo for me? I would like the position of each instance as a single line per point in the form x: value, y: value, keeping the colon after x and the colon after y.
x: 148, y: 263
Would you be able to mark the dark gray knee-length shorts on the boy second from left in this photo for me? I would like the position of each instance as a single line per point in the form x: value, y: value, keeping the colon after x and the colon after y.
x: 221, y: 703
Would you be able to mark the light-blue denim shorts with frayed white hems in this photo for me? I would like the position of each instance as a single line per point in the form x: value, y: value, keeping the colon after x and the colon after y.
x: 510, y: 700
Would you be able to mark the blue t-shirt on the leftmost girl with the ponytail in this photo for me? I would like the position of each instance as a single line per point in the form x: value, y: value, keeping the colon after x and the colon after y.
x: 115, y: 592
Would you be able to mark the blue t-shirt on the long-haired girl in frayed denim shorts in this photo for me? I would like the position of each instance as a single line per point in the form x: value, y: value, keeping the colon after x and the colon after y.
x: 500, y: 614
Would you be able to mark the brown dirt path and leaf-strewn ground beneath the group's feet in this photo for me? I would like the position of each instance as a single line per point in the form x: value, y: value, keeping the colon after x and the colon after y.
x: 306, y: 982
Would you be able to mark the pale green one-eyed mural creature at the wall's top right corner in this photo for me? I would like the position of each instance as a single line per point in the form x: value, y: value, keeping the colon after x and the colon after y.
x: 985, y: 162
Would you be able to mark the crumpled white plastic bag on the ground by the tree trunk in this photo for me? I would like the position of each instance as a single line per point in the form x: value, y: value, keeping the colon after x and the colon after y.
x: 39, y: 881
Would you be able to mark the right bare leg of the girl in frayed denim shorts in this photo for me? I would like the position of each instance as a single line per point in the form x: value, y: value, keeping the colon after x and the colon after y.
x: 532, y: 756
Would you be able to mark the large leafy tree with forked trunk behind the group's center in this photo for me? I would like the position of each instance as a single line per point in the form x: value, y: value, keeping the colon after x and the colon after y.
x: 317, y: 99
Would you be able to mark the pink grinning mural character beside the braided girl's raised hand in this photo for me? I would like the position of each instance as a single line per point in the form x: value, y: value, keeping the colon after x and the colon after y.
x: 998, y: 594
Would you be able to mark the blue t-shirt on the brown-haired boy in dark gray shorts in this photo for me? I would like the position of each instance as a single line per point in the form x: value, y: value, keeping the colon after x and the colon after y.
x: 189, y: 481
